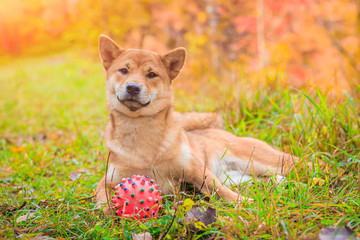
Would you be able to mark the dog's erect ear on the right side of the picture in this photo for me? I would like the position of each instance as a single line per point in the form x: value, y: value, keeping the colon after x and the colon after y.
x: 174, y: 61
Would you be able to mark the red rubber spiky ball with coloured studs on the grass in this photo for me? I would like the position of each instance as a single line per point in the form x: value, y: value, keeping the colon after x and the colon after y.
x: 137, y: 197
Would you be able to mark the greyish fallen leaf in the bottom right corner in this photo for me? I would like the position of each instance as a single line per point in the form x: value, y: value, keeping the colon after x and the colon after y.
x: 336, y: 233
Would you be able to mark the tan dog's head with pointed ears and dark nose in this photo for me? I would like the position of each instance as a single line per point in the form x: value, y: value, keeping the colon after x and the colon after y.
x: 138, y: 82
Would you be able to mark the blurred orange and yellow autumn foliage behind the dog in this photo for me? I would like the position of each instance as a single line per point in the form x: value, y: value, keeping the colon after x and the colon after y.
x: 303, y: 42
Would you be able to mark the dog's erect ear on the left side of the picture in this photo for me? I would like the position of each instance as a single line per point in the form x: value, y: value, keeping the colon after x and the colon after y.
x: 108, y: 50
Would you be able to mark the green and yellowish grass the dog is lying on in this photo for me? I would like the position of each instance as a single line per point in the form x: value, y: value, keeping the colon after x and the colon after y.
x: 53, y: 112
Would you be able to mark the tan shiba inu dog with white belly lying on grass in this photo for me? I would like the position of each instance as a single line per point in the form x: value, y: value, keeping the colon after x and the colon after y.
x: 145, y: 136
